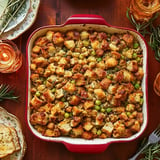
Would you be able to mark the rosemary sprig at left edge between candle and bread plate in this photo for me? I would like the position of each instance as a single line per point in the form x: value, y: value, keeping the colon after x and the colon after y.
x: 7, y: 93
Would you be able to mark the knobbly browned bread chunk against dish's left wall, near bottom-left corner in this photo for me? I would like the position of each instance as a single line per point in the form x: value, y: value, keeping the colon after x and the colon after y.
x: 39, y: 118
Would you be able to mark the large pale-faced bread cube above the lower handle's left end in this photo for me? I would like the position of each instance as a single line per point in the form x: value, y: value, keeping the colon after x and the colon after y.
x: 65, y: 127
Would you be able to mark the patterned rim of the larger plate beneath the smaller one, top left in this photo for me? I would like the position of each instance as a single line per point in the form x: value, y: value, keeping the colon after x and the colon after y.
x: 25, y: 24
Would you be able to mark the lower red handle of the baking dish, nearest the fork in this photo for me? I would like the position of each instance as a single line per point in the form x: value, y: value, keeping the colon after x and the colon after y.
x: 87, y: 148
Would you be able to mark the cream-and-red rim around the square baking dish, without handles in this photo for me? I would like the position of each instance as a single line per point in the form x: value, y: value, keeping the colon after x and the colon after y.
x: 105, y: 141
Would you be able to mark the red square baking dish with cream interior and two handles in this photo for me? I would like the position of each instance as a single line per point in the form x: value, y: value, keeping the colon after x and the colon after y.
x: 84, y: 22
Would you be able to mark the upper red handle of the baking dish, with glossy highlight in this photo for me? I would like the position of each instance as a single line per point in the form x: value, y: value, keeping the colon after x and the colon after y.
x: 86, y: 19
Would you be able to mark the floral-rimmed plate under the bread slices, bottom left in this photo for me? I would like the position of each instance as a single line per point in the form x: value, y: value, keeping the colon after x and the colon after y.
x: 9, y: 119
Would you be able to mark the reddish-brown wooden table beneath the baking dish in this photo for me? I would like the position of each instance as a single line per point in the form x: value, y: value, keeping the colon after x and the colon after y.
x: 56, y: 12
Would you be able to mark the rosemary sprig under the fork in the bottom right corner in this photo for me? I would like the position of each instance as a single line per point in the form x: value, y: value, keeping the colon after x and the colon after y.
x: 152, y: 152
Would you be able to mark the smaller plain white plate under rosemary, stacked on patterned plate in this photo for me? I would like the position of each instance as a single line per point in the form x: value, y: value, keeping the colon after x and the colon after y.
x: 20, y: 16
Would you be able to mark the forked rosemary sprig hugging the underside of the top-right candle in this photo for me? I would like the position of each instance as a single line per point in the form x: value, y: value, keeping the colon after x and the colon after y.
x: 141, y: 27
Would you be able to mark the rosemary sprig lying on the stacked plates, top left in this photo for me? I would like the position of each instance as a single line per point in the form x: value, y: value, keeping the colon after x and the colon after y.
x: 11, y: 10
